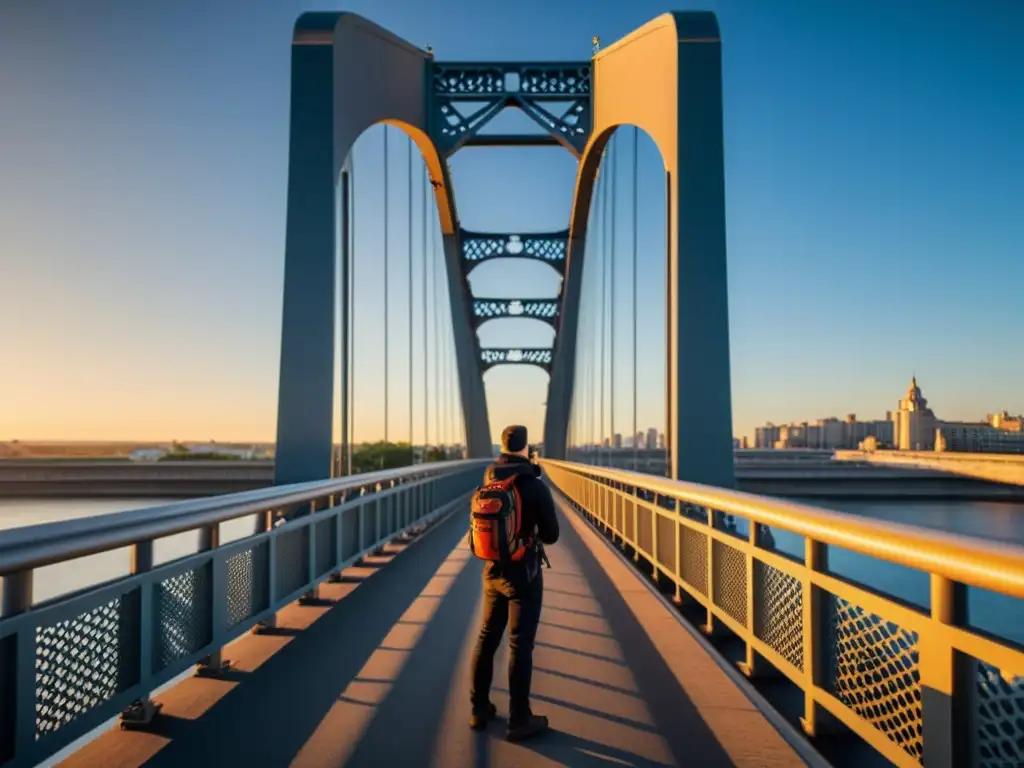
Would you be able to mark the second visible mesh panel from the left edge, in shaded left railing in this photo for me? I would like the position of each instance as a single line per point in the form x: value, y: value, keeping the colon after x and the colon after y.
x: 183, y: 616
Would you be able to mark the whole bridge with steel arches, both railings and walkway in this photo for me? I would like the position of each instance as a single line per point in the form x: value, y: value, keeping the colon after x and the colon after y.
x: 328, y: 620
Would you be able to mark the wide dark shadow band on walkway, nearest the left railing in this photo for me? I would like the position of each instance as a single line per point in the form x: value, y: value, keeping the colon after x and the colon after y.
x: 268, y: 720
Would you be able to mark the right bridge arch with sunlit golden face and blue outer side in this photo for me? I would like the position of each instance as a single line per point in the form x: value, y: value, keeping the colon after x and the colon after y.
x: 666, y: 79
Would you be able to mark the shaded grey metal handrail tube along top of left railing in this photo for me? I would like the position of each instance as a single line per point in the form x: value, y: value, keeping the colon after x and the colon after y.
x: 36, y: 546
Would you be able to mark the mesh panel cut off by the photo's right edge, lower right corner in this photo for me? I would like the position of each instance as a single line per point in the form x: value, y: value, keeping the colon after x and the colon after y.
x: 1001, y: 719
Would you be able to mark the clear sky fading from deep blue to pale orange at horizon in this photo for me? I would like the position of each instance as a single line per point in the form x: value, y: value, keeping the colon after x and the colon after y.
x: 875, y: 188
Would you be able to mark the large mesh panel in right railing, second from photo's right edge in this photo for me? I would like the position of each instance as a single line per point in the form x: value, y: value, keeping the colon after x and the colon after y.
x: 874, y: 670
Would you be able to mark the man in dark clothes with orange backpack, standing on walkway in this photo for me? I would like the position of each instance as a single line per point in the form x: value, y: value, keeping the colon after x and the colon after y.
x: 513, y: 518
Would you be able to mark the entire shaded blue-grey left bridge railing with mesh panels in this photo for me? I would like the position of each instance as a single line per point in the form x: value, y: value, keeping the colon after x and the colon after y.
x: 73, y: 663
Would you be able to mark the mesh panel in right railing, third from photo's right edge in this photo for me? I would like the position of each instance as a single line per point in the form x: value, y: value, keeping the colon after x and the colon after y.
x: 779, y: 613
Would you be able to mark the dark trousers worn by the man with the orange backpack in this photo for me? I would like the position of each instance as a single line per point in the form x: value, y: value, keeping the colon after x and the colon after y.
x: 513, y: 596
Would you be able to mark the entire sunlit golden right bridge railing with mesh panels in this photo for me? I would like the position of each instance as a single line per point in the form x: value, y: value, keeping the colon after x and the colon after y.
x: 921, y: 686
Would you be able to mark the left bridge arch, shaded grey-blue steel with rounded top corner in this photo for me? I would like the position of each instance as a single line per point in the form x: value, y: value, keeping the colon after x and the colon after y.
x: 349, y: 75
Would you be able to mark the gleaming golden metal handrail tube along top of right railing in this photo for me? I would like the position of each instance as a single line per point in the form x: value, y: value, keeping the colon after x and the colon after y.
x: 992, y: 566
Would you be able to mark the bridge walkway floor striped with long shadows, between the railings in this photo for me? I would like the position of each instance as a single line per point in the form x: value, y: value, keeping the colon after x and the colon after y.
x: 378, y: 675
